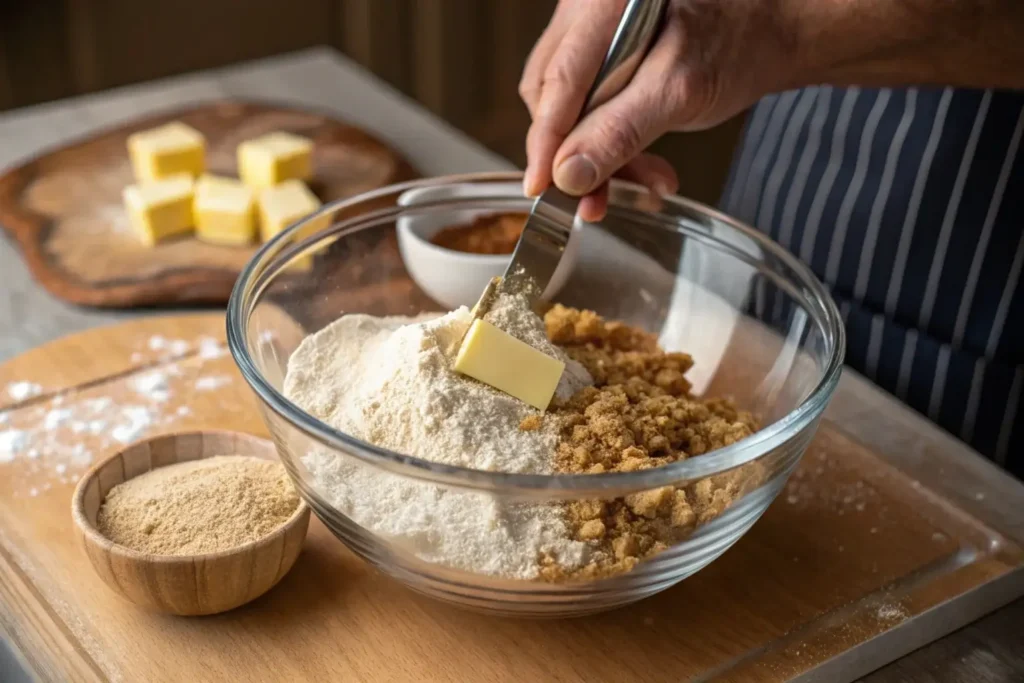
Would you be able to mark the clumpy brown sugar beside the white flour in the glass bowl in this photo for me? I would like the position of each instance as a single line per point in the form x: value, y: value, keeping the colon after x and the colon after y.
x: 638, y: 415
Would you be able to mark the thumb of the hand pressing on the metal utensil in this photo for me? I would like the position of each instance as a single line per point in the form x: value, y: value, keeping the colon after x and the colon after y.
x: 609, y: 139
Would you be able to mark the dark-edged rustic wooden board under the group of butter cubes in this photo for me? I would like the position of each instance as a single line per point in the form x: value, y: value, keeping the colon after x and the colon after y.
x: 65, y: 210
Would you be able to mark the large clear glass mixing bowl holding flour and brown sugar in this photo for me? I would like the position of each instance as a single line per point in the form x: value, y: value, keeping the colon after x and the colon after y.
x: 762, y: 330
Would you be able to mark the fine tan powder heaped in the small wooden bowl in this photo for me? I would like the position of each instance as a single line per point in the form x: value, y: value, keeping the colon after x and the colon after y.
x: 201, y: 506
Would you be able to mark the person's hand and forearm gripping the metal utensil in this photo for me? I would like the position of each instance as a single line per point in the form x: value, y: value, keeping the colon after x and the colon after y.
x: 717, y: 58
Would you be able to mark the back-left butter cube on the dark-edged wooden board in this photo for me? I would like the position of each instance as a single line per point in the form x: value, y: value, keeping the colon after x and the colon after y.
x: 169, y: 150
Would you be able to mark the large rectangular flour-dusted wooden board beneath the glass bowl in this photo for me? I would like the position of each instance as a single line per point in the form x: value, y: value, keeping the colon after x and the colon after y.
x: 850, y: 565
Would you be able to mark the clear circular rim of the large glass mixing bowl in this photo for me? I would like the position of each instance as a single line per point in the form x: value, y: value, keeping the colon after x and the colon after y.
x: 243, y: 302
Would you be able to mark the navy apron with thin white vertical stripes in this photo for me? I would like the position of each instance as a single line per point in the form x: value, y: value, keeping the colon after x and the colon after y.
x: 910, y: 205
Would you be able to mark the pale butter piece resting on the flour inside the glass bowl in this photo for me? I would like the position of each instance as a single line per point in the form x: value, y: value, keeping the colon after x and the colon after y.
x: 498, y: 359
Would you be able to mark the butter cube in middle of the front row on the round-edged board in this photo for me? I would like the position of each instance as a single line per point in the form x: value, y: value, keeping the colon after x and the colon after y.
x: 225, y: 211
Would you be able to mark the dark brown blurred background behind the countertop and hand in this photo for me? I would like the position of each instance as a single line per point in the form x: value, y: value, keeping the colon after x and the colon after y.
x: 460, y: 59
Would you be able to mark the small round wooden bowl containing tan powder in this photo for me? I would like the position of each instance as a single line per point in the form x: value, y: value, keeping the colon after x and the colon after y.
x: 188, y: 584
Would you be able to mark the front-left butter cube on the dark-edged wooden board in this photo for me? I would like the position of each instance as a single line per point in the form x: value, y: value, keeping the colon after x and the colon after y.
x: 161, y: 209
